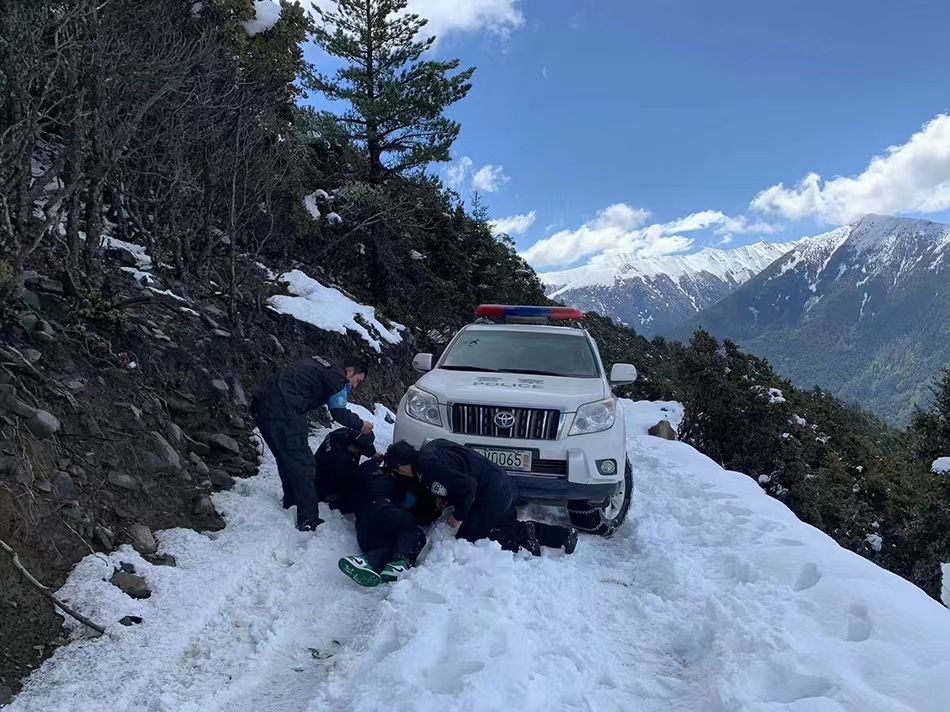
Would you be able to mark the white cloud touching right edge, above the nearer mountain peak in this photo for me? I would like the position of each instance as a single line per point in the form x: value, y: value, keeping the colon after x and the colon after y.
x: 913, y: 177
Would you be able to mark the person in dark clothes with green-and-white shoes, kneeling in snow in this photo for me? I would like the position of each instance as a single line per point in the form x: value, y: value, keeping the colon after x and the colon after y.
x: 386, y: 530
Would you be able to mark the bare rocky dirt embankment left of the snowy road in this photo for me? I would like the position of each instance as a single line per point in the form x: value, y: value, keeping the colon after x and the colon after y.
x: 119, y: 418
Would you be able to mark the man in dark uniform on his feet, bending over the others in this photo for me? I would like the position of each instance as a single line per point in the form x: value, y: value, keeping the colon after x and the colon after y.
x: 280, y: 411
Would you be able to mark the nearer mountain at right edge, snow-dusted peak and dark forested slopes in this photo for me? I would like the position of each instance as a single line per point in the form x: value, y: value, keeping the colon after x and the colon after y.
x: 862, y: 310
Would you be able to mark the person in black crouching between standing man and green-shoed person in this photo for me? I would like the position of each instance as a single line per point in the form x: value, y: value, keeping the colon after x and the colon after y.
x: 336, y: 463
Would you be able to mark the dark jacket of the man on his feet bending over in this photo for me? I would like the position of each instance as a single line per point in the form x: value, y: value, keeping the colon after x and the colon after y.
x: 304, y: 386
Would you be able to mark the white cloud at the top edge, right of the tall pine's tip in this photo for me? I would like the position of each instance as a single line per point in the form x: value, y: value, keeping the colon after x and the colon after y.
x: 445, y: 17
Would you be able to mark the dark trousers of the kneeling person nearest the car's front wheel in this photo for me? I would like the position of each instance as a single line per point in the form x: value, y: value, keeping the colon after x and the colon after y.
x: 493, y: 516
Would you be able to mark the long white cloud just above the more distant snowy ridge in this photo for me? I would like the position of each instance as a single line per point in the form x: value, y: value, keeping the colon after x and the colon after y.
x: 622, y: 228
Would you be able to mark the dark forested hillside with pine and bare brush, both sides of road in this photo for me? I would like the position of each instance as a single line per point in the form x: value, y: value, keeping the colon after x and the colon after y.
x: 158, y: 160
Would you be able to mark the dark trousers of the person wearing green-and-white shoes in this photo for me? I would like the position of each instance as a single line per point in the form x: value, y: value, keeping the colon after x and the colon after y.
x: 389, y: 533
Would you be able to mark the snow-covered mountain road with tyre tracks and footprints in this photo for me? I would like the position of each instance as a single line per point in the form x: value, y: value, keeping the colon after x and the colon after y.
x: 712, y: 597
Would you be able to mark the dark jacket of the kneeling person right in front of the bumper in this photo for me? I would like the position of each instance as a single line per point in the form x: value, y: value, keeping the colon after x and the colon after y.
x: 460, y: 475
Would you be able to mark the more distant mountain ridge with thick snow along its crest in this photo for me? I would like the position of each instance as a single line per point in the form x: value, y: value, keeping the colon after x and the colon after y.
x: 654, y: 294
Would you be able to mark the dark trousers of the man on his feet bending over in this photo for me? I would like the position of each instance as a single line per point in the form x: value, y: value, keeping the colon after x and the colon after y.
x: 287, y: 439
